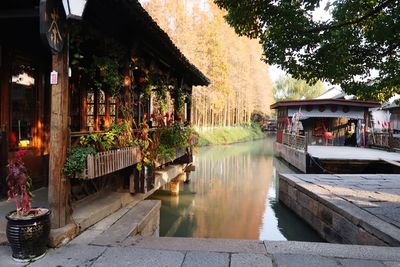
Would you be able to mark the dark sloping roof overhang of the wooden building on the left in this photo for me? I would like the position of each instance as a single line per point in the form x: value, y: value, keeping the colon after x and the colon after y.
x: 128, y: 21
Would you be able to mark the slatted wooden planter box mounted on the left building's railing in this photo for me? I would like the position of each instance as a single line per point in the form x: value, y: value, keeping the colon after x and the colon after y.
x: 107, y: 162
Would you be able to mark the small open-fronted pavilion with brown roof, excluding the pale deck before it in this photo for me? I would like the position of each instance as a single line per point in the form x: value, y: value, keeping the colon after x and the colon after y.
x: 318, y: 116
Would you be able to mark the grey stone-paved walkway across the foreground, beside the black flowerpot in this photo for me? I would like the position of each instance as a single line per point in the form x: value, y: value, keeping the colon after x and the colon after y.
x: 139, y: 251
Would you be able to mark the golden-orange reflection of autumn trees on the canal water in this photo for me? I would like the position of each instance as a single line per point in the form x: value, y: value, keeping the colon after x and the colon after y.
x: 231, y: 185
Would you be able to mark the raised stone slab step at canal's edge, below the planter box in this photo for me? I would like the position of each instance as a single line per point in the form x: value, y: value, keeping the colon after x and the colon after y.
x: 142, y: 219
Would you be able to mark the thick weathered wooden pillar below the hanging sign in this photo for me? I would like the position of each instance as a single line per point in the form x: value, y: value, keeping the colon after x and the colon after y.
x: 59, y: 139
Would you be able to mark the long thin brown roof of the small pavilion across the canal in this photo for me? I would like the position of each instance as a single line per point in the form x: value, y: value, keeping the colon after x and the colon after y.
x: 342, y: 102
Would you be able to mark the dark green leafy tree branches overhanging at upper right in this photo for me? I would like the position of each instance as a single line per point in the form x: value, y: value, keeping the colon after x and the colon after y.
x: 357, y: 47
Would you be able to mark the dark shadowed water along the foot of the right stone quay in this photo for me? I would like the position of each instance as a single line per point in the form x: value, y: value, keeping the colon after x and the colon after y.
x: 292, y: 226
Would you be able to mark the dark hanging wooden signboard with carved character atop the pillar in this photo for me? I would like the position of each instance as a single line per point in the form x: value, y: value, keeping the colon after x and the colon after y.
x: 52, y: 24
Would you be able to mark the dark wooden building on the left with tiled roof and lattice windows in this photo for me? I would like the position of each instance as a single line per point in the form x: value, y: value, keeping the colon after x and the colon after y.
x: 52, y: 89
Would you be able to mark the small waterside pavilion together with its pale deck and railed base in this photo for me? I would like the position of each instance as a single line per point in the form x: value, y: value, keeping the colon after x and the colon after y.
x: 330, y: 136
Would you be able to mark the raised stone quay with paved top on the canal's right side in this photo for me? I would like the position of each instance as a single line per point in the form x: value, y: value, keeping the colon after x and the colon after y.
x: 345, y: 202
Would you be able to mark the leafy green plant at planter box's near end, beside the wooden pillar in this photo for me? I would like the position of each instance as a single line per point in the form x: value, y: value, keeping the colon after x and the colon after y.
x: 76, y: 161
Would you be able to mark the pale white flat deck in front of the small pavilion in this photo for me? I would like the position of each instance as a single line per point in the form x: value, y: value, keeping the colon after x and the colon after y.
x: 351, y: 153
